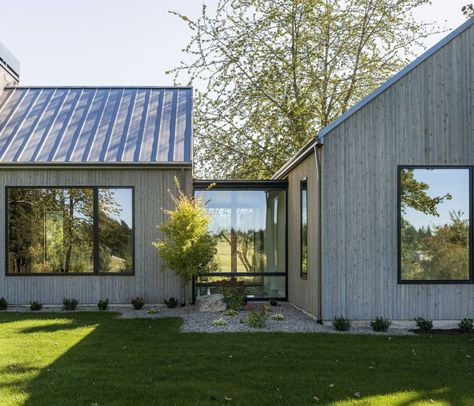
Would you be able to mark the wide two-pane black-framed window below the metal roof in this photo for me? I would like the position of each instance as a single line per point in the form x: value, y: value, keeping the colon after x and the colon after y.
x: 74, y: 230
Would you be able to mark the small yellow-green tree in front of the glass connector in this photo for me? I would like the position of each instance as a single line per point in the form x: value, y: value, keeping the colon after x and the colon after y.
x: 187, y: 246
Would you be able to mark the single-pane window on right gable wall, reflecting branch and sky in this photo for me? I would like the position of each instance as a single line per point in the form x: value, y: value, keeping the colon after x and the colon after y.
x: 434, y: 224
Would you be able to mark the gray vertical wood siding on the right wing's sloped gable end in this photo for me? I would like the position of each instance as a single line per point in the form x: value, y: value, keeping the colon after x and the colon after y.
x: 425, y: 118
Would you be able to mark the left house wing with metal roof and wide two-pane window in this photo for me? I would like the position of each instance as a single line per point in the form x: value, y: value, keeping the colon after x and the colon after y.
x: 84, y: 173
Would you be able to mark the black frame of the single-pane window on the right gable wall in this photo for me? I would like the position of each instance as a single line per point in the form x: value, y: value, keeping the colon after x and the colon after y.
x: 401, y: 281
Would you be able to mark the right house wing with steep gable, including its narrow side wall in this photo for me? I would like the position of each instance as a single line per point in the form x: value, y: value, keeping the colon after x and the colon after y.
x: 373, y: 246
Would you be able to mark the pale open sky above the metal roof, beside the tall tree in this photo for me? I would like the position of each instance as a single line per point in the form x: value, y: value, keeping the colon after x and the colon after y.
x: 119, y: 42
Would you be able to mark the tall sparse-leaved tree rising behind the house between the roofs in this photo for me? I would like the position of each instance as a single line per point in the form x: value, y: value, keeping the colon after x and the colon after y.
x: 278, y: 71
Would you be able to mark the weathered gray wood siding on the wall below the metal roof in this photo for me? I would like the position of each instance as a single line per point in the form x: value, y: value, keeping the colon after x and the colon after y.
x: 151, y: 194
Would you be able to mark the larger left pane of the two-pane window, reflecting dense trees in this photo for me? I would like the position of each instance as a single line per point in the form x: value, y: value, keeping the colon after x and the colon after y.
x: 50, y: 230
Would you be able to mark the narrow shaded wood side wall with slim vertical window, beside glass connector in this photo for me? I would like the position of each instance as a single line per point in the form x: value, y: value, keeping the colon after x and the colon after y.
x: 303, y: 292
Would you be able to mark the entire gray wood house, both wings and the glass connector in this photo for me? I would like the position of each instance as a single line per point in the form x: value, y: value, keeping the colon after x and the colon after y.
x: 373, y: 217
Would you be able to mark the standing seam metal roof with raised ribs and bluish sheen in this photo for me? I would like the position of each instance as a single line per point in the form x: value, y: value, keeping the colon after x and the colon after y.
x: 96, y: 125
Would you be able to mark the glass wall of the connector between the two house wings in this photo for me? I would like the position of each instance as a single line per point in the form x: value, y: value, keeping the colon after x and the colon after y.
x: 250, y: 226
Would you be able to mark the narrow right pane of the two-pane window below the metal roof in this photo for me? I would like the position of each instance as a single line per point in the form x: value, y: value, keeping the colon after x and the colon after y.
x: 115, y: 230
